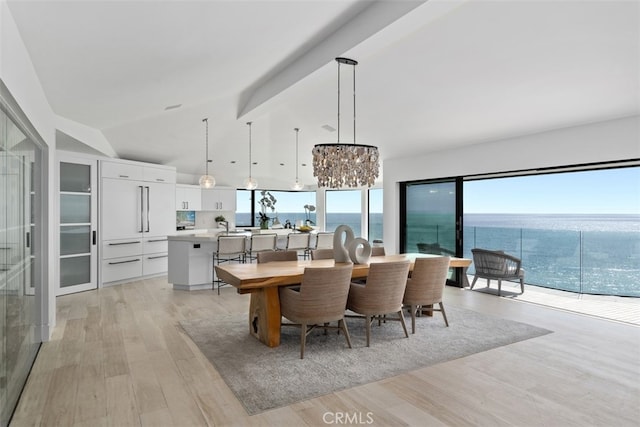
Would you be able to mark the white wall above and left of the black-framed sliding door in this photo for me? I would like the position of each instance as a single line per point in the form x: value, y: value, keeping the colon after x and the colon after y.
x: 597, y: 142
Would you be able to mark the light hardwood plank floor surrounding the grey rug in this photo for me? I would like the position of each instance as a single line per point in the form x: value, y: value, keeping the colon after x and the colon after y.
x: 117, y: 358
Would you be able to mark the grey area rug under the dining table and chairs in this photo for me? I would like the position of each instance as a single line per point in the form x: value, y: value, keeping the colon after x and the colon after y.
x: 263, y: 378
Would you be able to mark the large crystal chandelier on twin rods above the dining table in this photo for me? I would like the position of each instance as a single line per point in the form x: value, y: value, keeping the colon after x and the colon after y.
x: 345, y: 165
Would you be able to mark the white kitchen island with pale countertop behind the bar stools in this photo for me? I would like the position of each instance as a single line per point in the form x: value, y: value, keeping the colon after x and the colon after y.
x: 191, y: 257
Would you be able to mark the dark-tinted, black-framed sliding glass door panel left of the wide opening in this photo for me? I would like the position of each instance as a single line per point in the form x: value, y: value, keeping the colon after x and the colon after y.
x: 432, y: 218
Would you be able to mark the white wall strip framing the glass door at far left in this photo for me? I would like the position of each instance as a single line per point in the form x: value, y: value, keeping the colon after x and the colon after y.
x: 18, y: 74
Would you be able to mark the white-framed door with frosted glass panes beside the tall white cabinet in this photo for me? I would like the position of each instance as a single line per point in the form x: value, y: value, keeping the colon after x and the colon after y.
x: 78, y: 270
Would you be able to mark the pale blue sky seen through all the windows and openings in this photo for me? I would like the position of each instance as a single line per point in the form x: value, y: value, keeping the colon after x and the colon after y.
x: 608, y: 191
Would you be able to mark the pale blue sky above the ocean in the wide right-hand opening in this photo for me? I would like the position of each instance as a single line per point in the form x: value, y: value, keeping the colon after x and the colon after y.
x: 609, y: 191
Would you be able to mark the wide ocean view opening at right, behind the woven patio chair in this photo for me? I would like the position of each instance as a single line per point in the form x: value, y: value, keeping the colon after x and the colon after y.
x: 575, y: 231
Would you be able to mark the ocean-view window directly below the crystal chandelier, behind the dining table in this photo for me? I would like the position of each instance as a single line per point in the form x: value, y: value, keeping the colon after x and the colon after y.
x: 344, y: 207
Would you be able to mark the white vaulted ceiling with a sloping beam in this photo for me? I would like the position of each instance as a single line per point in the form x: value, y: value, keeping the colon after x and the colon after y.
x: 431, y: 75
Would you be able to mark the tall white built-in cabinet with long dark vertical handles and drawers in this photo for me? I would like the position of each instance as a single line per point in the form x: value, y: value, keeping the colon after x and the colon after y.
x: 137, y: 214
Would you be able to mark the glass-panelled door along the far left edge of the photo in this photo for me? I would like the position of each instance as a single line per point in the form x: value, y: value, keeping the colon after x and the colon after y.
x: 19, y: 338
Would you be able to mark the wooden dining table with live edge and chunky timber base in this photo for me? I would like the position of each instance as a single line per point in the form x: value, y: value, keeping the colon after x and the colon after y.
x: 263, y: 280
